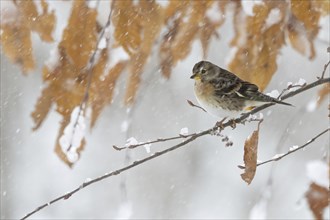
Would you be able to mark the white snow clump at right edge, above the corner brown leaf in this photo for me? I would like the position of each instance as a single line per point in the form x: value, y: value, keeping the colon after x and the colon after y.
x: 318, y: 172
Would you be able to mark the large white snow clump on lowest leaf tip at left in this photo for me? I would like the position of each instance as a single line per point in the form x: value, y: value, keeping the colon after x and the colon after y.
x: 73, y: 135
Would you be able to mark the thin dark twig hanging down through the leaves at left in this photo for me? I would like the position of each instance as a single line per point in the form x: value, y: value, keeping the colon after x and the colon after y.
x: 90, y: 65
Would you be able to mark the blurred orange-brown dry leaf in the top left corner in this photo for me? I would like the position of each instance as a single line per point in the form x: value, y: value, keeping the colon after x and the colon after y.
x: 16, y: 33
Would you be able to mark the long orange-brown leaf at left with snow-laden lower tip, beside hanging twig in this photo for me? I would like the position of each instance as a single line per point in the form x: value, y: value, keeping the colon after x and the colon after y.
x: 67, y: 80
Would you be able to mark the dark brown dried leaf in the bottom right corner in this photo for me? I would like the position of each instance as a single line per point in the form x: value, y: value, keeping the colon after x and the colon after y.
x: 318, y: 199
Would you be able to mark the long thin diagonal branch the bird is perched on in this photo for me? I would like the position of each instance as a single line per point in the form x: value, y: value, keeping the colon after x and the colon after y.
x: 183, y: 143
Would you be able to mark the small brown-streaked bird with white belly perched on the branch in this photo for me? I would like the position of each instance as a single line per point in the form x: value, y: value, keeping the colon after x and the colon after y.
x: 223, y: 94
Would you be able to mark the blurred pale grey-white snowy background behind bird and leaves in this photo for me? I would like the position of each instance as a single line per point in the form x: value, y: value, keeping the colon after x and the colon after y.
x: 200, y: 180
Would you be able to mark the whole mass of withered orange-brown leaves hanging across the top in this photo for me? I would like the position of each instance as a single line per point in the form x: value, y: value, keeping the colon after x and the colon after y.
x: 140, y: 28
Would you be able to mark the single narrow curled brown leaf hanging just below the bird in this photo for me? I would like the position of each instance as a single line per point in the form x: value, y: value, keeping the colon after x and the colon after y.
x: 250, y: 156
